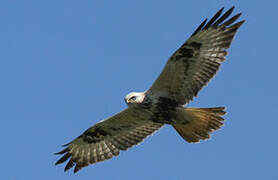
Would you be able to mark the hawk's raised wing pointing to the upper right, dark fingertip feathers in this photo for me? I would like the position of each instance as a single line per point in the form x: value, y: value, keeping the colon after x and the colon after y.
x: 198, y: 59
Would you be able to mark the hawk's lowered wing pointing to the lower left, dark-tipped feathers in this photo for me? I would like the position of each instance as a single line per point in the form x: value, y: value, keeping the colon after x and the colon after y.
x: 105, y: 139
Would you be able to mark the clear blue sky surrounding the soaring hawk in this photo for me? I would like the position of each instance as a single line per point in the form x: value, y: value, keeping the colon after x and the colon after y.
x: 65, y: 65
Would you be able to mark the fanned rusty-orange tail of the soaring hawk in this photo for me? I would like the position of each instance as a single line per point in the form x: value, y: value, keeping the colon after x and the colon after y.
x: 200, y: 122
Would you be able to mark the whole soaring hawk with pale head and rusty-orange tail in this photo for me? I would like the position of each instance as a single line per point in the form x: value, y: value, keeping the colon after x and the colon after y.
x: 186, y: 72
